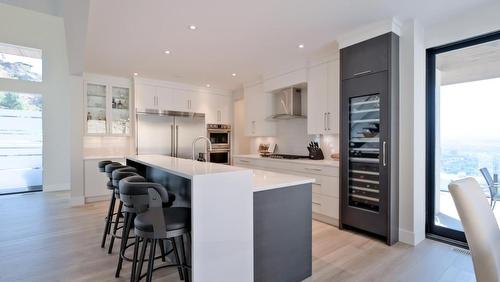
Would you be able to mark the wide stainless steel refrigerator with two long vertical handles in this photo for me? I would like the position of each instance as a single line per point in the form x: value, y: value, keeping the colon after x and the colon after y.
x: 170, y: 133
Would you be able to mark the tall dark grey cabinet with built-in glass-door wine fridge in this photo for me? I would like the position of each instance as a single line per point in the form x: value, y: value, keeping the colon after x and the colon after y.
x: 369, y: 136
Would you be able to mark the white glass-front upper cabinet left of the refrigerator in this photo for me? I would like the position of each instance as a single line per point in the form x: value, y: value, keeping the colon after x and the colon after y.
x: 107, y: 109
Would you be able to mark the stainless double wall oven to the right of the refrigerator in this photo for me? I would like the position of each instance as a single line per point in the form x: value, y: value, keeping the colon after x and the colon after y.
x: 220, y: 136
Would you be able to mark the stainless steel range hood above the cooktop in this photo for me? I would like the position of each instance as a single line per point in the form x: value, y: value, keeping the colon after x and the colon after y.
x: 287, y: 104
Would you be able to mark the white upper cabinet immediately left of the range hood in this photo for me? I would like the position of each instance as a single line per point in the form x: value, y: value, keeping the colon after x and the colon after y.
x: 258, y: 107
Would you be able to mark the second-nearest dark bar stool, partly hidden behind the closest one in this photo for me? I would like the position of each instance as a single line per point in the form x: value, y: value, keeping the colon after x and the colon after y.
x: 134, y: 196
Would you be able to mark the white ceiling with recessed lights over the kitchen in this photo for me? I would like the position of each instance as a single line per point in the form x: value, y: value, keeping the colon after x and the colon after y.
x: 233, y: 36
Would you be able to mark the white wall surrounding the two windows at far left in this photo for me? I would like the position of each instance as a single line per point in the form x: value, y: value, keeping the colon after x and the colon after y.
x: 32, y: 29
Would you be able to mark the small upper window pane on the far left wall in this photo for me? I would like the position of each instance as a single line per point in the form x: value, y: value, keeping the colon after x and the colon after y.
x: 22, y: 63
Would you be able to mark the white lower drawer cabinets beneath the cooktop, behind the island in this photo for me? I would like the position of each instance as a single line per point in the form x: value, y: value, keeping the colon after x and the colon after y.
x: 325, y: 189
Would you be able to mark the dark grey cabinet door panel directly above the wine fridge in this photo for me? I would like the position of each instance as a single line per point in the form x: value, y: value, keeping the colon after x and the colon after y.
x: 365, y: 58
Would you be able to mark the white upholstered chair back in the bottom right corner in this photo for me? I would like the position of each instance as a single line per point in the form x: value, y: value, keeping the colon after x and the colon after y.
x: 480, y: 226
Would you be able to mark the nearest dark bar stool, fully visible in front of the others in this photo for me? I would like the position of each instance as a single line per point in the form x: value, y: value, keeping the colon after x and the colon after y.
x: 159, y: 224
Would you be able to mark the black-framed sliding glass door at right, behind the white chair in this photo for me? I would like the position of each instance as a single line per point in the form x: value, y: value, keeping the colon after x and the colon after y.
x: 463, y: 81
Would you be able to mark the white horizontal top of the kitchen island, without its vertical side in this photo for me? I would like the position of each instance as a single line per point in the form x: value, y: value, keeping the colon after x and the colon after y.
x: 261, y: 180
